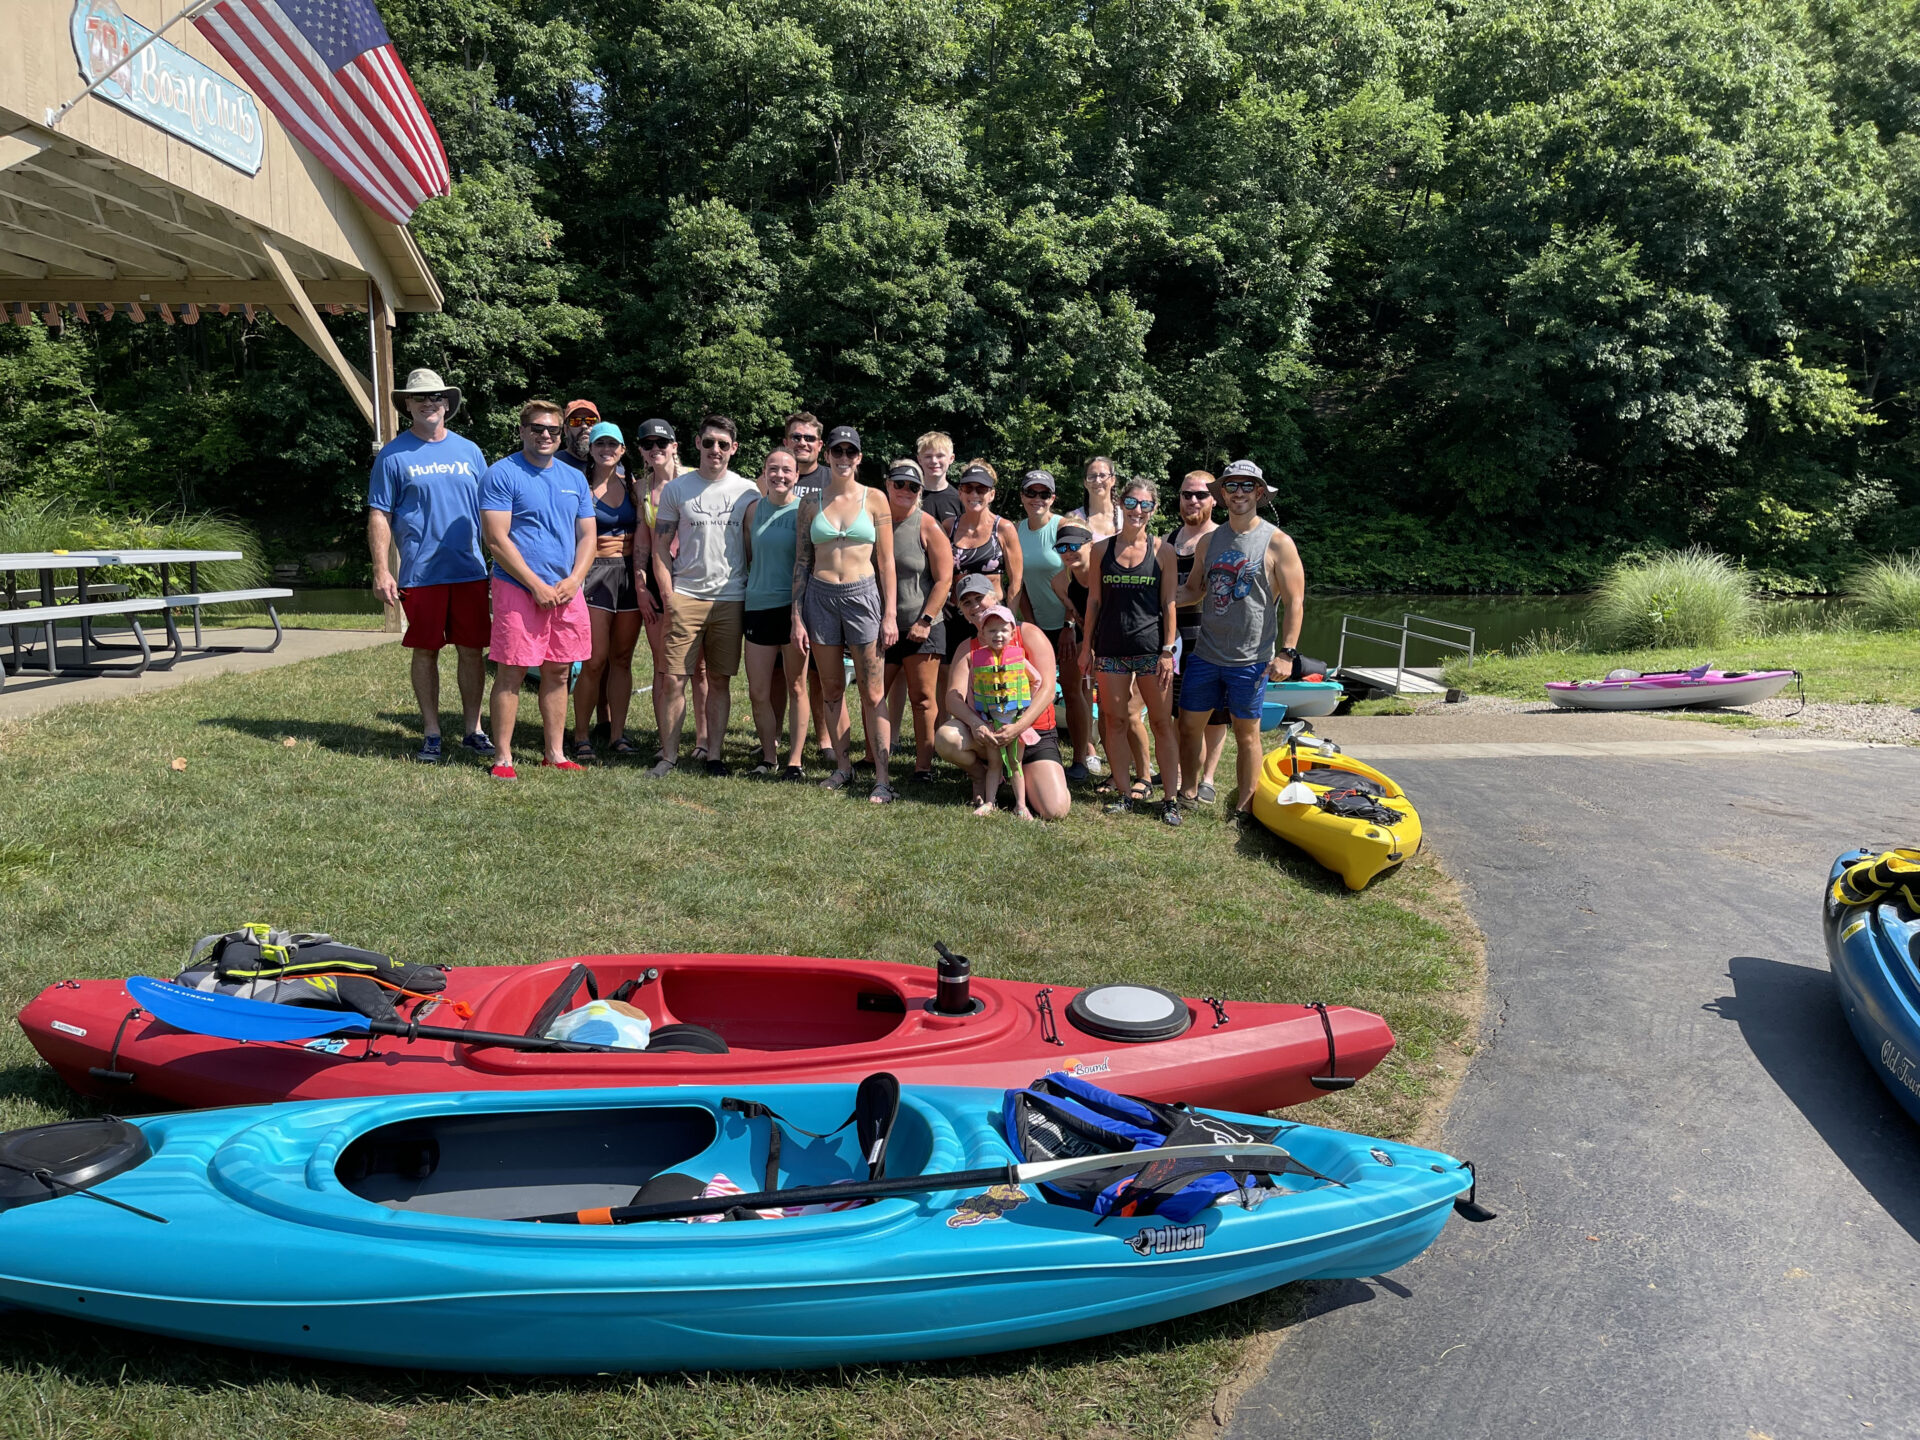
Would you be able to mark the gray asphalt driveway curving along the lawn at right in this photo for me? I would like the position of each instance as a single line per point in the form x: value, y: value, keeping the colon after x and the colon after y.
x: 1710, y: 1207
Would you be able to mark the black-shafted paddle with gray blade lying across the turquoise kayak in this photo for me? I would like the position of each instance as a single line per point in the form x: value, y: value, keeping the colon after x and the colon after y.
x: 1259, y: 1159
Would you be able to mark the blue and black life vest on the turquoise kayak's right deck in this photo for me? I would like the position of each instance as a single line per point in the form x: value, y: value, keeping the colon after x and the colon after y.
x: 1065, y: 1118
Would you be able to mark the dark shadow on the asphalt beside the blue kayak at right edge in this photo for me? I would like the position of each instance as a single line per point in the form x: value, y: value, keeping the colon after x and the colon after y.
x: 1792, y: 1020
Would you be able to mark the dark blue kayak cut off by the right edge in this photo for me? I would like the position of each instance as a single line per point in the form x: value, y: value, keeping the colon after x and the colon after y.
x: 1875, y: 955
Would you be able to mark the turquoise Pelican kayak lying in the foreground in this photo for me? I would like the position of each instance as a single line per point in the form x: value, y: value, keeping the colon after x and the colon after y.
x: 395, y: 1232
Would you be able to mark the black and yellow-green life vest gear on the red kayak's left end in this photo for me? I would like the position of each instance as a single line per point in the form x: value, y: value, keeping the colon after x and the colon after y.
x: 310, y: 971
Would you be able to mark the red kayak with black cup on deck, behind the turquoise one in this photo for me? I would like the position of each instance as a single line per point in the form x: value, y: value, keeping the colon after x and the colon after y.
x: 782, y: 1019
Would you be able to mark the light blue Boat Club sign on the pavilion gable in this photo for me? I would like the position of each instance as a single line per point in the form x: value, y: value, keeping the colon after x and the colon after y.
x: 166, y: 87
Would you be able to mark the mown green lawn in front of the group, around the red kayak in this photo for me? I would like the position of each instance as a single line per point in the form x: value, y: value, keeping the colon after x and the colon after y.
x: 297, y: 805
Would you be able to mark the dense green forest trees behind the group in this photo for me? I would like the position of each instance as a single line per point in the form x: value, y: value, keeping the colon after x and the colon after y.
x: 1497, y: 291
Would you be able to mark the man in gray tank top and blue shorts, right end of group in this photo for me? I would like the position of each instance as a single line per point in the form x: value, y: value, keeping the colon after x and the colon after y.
x: 1247, y: 575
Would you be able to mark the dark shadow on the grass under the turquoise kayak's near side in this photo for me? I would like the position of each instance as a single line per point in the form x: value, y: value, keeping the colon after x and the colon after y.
x: 108, y: 1358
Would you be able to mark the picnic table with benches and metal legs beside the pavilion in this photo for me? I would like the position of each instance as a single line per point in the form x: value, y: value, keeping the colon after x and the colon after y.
x: 85, y: 610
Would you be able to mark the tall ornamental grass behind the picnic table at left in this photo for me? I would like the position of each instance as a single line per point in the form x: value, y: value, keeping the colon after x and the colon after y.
x: 47, y: 525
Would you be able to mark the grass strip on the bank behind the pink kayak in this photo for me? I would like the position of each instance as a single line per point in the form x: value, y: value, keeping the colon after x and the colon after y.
x: 1846, y: 665
